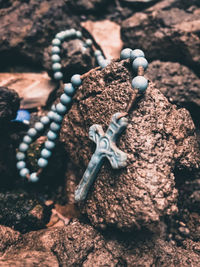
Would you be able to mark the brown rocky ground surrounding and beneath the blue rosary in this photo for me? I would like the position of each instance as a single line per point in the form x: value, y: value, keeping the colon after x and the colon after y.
x: 144, y: 215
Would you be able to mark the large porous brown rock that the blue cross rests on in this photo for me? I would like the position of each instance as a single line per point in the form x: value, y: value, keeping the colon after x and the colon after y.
x: 159, y: 139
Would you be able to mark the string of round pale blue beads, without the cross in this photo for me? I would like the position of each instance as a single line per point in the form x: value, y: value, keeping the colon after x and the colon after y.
x: 55, y: 116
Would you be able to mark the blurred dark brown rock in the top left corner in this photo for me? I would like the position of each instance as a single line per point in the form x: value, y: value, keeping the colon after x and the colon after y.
x: 27, y: 28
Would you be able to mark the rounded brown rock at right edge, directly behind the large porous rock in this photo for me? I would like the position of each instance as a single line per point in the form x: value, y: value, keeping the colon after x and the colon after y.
x: 178, y: 83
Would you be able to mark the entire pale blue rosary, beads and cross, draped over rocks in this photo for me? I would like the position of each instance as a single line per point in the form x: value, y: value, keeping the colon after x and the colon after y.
x: 105, y: 142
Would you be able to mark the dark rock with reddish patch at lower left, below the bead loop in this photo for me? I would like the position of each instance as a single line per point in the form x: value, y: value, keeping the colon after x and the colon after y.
x: 22, y: 212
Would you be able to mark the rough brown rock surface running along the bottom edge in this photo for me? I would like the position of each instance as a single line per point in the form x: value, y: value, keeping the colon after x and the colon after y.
x: 79, y: 244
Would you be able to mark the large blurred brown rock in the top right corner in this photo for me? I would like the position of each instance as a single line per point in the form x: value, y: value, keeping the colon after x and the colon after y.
x: 163, y: 34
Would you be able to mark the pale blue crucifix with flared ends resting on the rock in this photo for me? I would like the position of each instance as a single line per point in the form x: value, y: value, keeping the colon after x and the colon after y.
x: 106, y: 147
